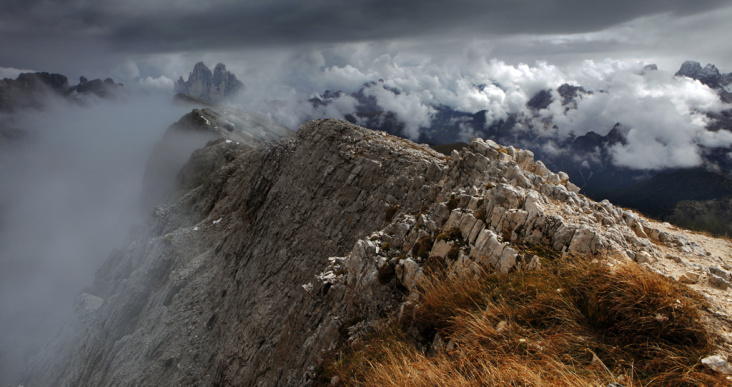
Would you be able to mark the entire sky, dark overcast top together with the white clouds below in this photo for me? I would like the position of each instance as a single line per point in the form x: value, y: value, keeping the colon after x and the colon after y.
x: 433, y: 51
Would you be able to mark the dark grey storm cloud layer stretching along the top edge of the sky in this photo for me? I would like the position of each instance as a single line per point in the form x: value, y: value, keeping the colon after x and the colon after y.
x: 35, y: 29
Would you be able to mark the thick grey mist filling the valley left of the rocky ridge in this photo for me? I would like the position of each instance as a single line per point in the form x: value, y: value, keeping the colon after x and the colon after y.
x: 69, y: 196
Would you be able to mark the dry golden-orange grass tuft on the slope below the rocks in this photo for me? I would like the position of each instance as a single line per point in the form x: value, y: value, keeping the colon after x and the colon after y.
x: 571, y: 323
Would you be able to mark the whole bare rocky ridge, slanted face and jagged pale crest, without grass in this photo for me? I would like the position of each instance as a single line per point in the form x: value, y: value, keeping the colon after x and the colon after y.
x: 268, y: 255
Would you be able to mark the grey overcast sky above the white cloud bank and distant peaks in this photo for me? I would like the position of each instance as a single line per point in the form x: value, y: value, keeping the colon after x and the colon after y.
x: 140, y: 38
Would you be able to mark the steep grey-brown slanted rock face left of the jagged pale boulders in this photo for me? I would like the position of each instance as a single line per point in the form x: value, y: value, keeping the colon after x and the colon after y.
x: 213, y: 294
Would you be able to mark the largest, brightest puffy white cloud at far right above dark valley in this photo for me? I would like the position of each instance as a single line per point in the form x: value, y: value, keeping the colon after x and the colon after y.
x: 664, y: 114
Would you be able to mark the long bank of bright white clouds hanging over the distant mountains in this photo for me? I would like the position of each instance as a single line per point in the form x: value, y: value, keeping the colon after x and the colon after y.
x: 665, y: 117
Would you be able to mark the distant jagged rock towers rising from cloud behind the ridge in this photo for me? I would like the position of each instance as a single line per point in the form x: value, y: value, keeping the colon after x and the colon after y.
x: 212, y: 87
